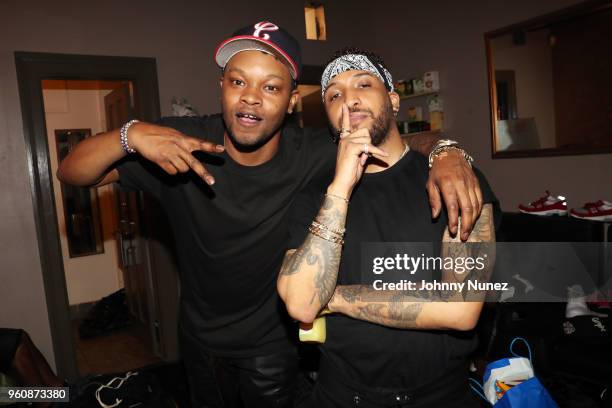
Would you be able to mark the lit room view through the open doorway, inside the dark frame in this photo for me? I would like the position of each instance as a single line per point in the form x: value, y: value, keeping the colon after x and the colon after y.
x: 99, y: 234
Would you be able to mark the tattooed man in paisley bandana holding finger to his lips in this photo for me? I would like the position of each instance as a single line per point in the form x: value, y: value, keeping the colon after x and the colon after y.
x: 384, y: 346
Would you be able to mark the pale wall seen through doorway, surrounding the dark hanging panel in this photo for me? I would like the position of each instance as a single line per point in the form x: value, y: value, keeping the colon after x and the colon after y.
x: 88, y: 278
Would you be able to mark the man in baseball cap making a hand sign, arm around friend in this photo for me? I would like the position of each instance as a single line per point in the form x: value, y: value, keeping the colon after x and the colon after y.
x: 235, y: 175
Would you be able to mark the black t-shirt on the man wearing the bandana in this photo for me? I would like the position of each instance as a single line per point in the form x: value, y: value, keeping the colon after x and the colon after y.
x: 388, y: 206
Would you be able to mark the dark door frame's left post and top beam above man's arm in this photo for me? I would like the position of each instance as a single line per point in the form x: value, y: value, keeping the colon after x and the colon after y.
x: 32, y: 67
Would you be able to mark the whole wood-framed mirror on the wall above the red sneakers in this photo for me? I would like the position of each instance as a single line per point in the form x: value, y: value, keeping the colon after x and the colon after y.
x: 550, y: 83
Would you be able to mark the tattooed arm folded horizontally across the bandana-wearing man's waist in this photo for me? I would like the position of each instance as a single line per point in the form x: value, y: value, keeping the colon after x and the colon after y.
x: 420, y: 309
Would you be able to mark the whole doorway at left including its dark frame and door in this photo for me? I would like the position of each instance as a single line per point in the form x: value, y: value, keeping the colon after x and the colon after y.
x: 129, y: 86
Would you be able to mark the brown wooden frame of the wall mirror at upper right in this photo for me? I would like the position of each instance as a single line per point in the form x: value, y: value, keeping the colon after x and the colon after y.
x: 587, y: 7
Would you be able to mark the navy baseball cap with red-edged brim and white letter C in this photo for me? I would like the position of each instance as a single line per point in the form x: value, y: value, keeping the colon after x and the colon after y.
x: 263, y: 36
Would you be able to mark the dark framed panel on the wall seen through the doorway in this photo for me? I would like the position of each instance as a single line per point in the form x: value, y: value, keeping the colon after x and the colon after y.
x: 81, y: 207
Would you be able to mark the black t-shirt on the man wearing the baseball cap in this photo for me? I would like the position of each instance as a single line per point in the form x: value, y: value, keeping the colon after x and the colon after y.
x: 231, y: 237
